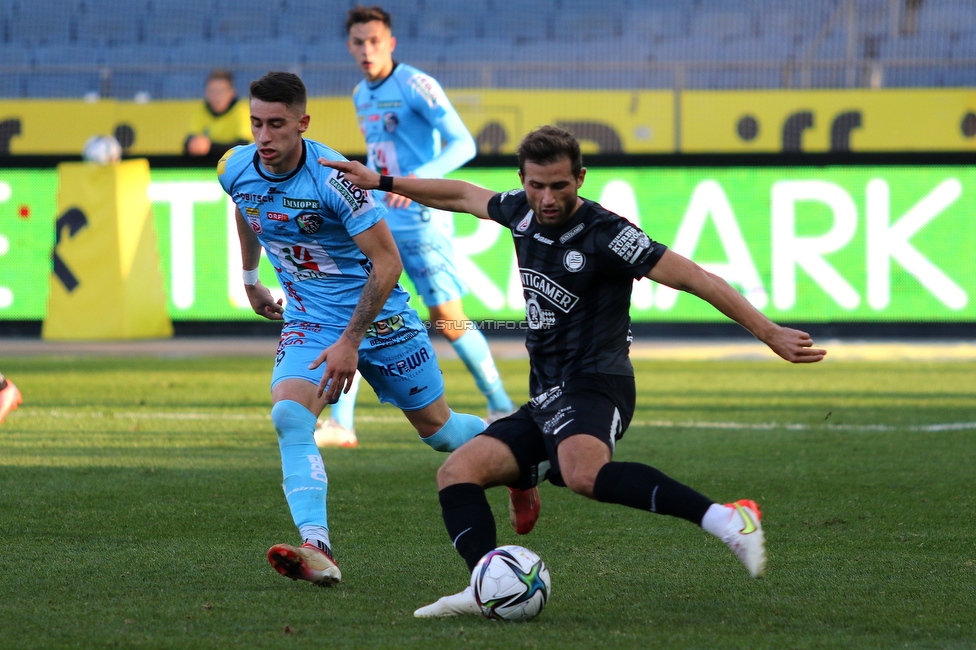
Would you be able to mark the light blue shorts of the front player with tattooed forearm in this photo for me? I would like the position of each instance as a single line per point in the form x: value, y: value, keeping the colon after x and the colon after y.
x: 396, y: 358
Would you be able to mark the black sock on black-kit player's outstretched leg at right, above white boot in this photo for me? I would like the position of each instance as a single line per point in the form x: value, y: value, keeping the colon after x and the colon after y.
x: 645, y: 488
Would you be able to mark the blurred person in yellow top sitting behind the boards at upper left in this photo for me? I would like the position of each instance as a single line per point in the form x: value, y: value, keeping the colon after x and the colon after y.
x: 221, y: 121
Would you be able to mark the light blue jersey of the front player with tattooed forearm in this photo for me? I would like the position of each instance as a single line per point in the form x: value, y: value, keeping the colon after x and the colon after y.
x: 305, y: 220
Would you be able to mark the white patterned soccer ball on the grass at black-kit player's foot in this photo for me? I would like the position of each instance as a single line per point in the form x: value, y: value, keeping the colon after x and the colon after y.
x: 511, y: 583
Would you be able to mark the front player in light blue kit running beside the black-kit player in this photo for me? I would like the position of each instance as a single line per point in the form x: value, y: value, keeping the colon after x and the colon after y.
x: 339, y: 267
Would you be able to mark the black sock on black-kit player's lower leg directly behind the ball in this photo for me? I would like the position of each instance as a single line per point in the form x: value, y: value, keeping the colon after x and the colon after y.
x: 469, y: 521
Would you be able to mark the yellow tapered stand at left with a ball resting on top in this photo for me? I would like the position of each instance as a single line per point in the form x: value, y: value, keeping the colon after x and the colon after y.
x: 106, y: 281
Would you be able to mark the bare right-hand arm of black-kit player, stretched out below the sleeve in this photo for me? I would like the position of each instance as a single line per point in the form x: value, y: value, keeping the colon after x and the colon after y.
x: 681, y: 273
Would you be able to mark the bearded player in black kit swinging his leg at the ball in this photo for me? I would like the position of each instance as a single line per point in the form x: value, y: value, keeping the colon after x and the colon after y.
x: 577, y: 262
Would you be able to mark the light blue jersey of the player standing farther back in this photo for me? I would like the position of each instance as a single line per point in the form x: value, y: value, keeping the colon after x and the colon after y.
x: 405, y: 119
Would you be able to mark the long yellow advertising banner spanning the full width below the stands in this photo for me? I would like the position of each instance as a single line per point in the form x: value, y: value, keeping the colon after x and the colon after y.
x: 605, y: 121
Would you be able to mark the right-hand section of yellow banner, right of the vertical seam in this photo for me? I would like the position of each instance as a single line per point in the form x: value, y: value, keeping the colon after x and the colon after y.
x: 828, y: 120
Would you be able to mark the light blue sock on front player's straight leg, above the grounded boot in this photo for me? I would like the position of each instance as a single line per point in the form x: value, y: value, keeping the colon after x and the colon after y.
x: 305, y: 482
